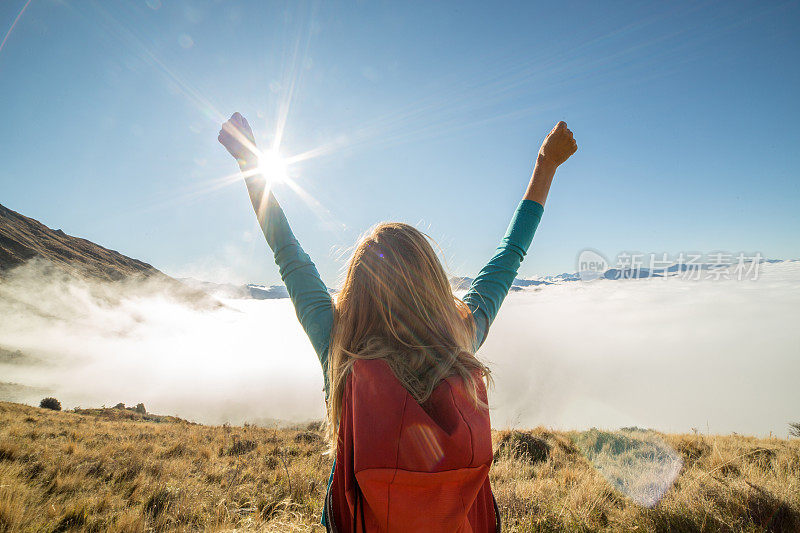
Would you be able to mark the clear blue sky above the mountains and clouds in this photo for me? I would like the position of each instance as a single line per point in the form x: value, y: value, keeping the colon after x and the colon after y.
x: 685, y: 115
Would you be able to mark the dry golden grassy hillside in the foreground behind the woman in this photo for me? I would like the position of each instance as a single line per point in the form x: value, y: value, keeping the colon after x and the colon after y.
x: 105, y: 469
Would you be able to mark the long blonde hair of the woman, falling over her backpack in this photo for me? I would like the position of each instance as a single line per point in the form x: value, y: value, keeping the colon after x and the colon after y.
x: 396, y: 304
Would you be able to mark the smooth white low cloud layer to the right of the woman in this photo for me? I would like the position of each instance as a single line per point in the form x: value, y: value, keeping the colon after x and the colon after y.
x: 669, y: 354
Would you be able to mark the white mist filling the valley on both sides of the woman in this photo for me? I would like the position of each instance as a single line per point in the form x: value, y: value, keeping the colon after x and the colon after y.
x: 668, y: 354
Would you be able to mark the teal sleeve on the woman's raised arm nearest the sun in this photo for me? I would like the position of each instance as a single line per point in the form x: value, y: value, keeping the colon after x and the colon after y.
x: 312, y: 301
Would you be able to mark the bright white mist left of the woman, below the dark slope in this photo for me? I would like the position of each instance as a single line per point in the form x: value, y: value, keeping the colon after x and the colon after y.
x: 245, y: 360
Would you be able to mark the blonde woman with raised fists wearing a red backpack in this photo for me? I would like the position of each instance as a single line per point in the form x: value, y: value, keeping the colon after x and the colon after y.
x: 406, y: 396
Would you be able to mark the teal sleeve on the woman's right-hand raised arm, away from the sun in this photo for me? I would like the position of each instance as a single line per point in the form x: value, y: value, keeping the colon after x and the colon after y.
x: 491, y: 285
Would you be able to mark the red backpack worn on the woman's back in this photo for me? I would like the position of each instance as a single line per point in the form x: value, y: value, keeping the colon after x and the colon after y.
x: 405, y: 466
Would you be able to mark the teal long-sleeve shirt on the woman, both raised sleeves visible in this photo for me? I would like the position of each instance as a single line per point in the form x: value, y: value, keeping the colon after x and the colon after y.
x: 313, y: 303
